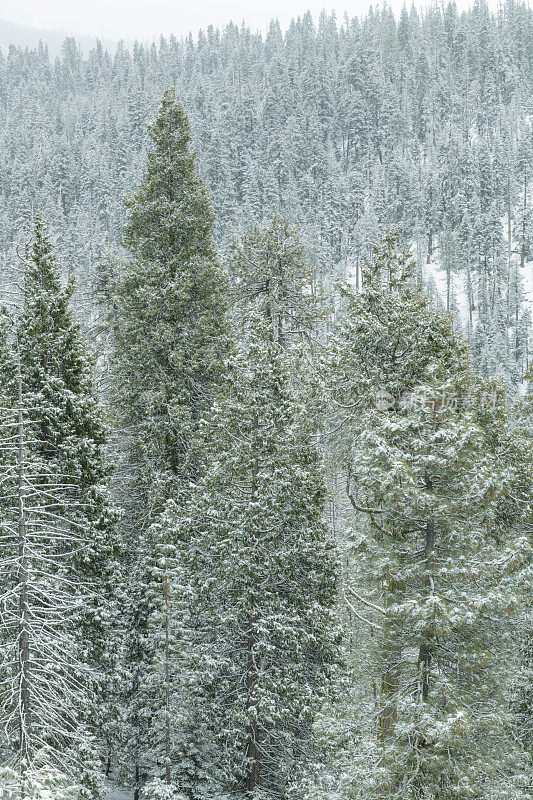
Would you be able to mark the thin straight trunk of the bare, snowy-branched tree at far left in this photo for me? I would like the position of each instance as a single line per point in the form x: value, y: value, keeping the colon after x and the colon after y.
x: 24, y: 637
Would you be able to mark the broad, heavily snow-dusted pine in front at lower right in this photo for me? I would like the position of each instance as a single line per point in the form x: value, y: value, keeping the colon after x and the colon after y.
x: 431, y: 483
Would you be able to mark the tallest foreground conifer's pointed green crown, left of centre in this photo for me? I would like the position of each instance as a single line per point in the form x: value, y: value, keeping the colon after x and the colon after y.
x: 169, y: 311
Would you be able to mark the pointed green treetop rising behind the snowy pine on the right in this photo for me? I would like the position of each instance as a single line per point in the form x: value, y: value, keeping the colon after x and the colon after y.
x: 391, y: 335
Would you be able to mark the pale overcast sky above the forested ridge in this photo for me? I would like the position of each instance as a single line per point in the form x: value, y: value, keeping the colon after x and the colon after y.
x: 146, y: 18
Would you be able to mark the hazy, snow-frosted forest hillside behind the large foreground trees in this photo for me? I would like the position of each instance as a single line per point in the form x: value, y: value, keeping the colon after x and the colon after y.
x: 422, y: 122
